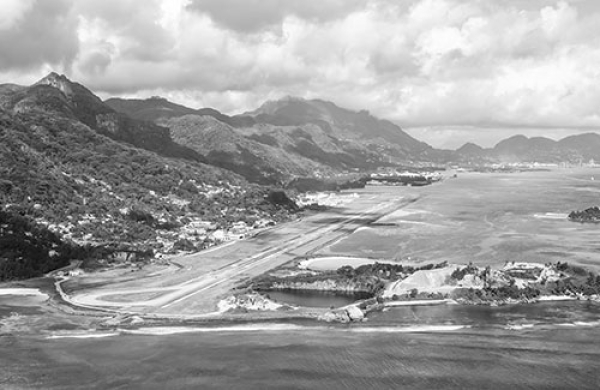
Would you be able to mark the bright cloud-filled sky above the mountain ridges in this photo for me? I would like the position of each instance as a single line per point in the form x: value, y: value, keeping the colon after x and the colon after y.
x: 447, y: 71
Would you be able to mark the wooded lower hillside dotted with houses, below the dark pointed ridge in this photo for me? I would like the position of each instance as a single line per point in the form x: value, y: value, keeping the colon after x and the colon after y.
x: 89, y: 189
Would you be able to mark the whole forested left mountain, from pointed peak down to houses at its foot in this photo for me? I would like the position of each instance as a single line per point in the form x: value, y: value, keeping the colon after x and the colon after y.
x: 64, y: 175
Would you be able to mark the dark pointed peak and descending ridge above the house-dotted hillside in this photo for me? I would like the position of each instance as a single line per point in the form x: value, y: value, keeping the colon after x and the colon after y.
x: 57, y: 95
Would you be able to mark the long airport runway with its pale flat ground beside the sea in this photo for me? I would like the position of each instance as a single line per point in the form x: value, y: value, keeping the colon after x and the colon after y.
x: 207, y: 276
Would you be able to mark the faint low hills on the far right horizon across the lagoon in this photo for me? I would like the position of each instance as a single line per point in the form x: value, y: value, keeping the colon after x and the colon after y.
x: 519, y: 148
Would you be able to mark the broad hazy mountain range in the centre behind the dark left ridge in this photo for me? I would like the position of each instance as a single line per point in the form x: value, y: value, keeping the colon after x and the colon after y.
x: 284, y: 139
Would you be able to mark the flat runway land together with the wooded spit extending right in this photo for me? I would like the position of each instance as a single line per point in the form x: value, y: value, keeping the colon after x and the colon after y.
x: 230, y: 278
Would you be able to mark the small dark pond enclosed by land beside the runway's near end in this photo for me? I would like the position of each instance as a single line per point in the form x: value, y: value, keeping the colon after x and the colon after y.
x: 313, y: 298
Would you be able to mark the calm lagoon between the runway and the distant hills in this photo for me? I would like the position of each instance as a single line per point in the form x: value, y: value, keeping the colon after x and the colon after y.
x: 487, y: 219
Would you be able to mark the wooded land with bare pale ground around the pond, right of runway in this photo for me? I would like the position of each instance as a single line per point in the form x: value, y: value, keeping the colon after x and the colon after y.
x: 390, y: 284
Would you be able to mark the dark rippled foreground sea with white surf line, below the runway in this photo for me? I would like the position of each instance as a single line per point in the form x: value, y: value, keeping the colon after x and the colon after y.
x: 543, y: 346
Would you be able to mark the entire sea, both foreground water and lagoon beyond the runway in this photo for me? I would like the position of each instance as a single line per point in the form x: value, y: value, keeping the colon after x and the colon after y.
x: 487, y: 219
